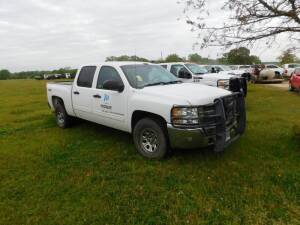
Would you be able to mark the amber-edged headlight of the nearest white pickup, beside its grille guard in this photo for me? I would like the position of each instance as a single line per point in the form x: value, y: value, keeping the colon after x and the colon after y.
x: 185, y: 116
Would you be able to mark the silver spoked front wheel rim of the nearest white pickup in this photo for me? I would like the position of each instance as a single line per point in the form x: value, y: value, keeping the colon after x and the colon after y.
x: 149, y: 140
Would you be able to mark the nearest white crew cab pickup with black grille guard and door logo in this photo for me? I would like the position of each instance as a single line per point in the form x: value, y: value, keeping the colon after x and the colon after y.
x: 146, y: 100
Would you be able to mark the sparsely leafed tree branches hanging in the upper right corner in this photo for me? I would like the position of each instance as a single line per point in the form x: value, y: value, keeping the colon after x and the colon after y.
x: 248, y: 21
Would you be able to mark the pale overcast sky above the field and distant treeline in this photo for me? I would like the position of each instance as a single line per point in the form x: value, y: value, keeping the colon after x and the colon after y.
x: 49, y: 34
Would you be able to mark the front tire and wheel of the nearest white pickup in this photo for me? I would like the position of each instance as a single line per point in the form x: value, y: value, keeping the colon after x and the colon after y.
x: 150, y: 138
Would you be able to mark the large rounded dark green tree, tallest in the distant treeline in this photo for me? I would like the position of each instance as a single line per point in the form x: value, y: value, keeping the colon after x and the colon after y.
x: 239, y: 56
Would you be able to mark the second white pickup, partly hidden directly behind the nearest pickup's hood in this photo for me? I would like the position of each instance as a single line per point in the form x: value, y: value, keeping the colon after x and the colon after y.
x: 193, y: 73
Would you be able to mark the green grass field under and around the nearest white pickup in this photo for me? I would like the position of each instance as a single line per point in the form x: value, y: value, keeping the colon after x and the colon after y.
x: 90, y: 174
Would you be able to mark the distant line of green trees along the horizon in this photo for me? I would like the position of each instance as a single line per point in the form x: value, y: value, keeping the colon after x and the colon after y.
x: 237, y: 56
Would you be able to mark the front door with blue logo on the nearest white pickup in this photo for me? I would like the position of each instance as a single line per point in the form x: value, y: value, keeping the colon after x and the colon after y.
x: 109, y: 106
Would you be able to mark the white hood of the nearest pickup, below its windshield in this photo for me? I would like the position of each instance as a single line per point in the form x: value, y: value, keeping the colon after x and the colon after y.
x: 185, y: 93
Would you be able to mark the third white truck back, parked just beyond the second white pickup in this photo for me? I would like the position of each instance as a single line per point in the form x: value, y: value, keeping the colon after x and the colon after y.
x: 224, y: 69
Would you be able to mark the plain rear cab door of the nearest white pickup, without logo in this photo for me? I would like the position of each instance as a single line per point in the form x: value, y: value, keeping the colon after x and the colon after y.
x: 82, y: 94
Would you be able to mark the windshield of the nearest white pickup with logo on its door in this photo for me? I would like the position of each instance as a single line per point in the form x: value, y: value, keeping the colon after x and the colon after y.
x: 142, y: 75
